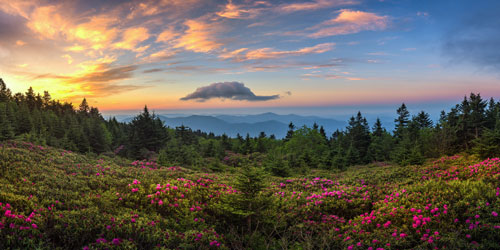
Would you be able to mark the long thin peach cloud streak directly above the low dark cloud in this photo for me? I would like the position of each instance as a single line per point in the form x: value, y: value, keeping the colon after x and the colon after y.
x: 245, y: 54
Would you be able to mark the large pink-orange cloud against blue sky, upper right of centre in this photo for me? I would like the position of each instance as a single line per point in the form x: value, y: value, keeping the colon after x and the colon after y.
x: 350, y: 22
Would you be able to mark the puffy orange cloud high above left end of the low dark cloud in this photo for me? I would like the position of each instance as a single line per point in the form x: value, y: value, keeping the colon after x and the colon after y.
x: 199, y: 37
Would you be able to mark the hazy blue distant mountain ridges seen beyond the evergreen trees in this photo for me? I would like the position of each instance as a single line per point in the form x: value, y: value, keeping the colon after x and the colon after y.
x: 231, y: 125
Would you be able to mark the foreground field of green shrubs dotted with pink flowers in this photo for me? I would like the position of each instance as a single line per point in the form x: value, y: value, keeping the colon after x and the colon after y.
x: 56, y: 199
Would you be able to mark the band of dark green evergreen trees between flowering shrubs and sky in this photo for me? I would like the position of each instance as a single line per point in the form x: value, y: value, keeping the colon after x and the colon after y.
x: 472, y: 126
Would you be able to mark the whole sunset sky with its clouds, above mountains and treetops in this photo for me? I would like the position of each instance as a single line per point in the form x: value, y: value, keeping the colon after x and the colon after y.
x: 249, y: 56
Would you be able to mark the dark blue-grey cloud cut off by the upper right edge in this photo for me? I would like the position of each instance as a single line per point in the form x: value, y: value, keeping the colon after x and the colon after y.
x: 475, y: 40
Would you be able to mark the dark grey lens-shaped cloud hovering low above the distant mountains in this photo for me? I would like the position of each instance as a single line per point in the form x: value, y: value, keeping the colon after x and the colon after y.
x: 226, y: 90
